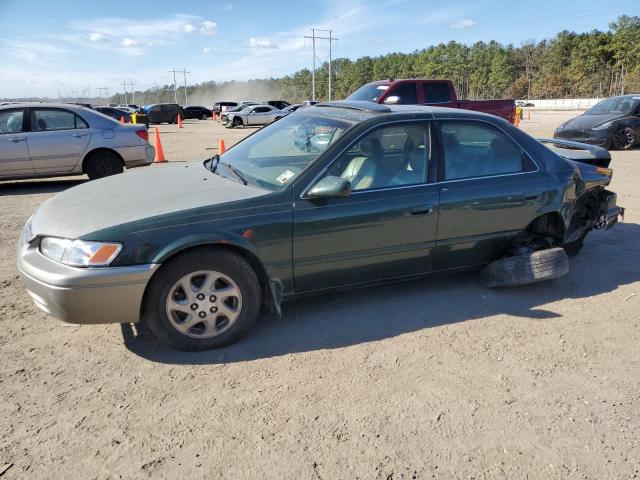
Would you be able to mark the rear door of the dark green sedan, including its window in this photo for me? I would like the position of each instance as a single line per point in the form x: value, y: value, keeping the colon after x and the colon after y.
x: 490, y: 190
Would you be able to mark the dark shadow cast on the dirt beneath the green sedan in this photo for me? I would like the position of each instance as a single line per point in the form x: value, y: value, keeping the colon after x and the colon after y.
x: 608, y: 260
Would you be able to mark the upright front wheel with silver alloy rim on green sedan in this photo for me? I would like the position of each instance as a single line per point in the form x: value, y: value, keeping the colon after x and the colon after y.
x: 202, y: 299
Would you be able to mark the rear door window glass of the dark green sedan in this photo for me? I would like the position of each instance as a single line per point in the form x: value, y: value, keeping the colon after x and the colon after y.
x: 473, y: 149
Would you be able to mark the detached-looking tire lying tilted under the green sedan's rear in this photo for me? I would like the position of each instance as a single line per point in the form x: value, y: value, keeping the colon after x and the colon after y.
x: 524, y: 269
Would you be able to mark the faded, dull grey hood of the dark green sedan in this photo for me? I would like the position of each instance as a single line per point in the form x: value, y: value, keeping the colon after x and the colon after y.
x: 133, y: 196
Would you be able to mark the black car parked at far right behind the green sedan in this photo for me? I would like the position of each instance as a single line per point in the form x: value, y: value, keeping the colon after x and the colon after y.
x: 613, y: 123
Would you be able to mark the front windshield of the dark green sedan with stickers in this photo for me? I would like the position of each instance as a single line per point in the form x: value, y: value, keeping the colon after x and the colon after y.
x: 275, y: 155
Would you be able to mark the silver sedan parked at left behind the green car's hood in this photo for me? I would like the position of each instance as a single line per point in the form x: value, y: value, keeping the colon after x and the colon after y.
x: 47, y: 140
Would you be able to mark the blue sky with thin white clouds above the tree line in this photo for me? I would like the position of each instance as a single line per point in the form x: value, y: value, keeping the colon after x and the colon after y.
x: 56, y: 47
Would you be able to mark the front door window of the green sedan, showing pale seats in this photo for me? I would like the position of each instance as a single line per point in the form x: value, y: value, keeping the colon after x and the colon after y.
x: 387, y: 157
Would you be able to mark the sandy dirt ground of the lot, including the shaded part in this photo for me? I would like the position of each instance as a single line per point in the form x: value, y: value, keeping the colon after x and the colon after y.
x: 432, y: 379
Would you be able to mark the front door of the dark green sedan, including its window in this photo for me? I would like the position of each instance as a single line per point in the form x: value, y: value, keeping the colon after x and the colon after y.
x: 385, y: 228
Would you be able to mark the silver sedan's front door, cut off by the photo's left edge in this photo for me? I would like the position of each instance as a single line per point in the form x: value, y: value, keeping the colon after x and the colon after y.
x: 14, y: 154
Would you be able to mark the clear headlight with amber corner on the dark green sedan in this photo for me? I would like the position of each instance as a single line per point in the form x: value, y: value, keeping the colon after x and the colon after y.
x: 79, y: 253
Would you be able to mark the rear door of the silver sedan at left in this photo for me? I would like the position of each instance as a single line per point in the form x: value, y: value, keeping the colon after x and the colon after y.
x: 57, y: 139
